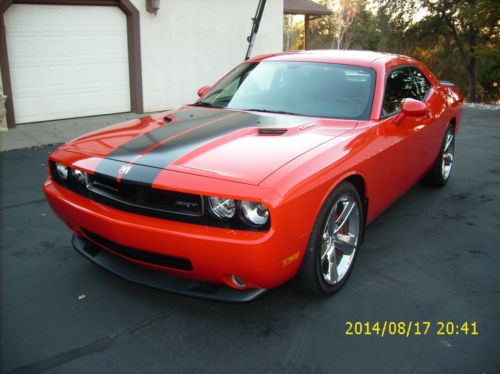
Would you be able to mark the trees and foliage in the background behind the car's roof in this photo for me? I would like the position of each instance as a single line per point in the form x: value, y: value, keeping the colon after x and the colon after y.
x: 457, y: 39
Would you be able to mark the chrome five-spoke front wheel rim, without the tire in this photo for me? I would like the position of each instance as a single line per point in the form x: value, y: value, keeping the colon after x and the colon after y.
x: 340, y: 239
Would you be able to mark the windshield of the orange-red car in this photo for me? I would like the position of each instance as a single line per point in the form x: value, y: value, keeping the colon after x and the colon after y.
x: 301, y: 88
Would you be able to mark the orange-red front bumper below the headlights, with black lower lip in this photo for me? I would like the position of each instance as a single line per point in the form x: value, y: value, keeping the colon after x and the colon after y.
x: 262, y: 259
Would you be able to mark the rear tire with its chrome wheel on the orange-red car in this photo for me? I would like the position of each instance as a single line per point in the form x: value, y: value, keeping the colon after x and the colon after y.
x: 440, y: 172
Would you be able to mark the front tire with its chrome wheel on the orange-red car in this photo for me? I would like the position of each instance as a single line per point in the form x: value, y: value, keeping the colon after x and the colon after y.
x: 317, y: 274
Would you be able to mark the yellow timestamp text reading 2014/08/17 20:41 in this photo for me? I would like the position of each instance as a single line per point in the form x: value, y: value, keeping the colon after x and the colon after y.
x: 410, y: 328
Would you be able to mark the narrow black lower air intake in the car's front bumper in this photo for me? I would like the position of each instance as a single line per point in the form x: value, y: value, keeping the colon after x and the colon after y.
x: 139, y: 254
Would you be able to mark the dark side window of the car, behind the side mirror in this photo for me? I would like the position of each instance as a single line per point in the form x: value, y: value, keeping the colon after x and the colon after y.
x: 403, y: 83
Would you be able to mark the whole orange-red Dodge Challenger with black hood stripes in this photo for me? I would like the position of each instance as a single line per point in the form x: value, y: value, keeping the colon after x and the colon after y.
x: 271, y: 175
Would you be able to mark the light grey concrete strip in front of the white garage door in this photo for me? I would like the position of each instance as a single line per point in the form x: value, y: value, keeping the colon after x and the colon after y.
x: 53, y: 132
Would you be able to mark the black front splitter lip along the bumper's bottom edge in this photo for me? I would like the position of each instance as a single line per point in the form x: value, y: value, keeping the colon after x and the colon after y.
x: 159, y: 279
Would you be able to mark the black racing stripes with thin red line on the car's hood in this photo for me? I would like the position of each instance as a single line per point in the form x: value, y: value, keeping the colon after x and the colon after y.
x: 189, y: 134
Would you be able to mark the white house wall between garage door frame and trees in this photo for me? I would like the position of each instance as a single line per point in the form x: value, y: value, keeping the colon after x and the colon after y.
x: 191, y: 43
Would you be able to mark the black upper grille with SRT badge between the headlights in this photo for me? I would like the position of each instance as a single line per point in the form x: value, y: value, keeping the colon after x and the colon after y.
x: 146, y: 197
